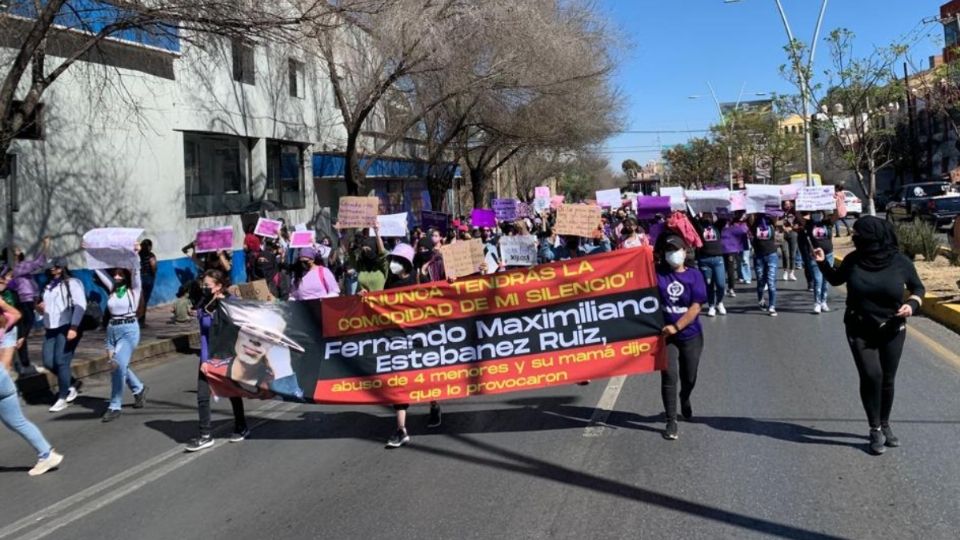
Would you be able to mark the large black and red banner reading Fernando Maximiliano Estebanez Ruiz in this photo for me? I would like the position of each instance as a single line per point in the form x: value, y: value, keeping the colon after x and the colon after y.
x: 553, y: 324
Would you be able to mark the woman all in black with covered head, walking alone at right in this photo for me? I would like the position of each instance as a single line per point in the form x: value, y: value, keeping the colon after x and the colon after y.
x: 876, y: 274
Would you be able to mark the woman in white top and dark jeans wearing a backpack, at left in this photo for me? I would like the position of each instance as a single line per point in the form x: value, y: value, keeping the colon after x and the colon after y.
x: 63, y: 304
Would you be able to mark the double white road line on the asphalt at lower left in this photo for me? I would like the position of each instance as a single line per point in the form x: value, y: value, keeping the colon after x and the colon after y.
x: 52, y: 512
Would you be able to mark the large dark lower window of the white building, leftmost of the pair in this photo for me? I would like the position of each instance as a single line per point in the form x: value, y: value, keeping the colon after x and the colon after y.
x: 216, y: 173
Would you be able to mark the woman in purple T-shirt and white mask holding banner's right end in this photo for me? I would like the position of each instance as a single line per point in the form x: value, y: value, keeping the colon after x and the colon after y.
x: 682, y: 293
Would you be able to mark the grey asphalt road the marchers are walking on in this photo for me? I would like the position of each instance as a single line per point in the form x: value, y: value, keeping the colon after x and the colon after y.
x: 777, y: 449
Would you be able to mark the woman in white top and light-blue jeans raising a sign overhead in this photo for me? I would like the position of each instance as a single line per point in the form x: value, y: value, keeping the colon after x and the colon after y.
x: 123, y: 336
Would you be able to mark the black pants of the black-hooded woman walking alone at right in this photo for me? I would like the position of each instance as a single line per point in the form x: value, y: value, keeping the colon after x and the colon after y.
x: 877, y: 355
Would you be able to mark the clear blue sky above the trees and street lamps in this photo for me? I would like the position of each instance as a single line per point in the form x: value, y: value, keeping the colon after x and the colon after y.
x: 674, y: 48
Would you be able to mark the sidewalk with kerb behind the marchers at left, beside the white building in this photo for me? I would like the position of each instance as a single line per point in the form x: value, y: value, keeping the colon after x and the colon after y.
x: 158, y: 338
